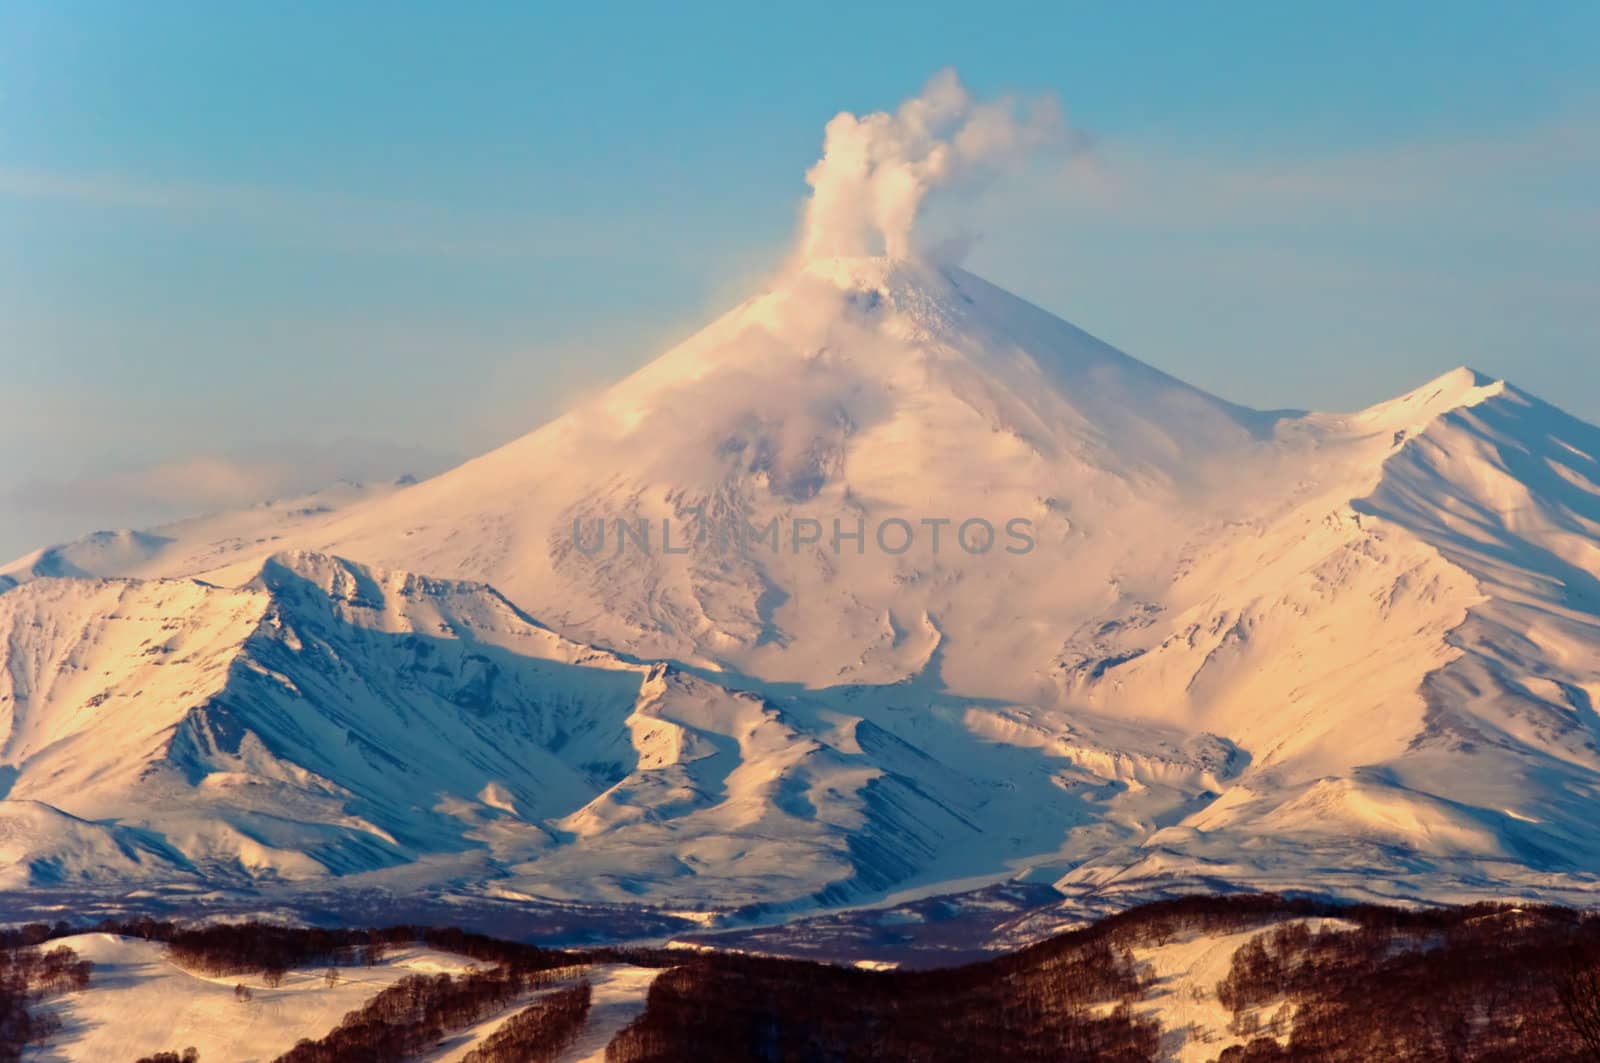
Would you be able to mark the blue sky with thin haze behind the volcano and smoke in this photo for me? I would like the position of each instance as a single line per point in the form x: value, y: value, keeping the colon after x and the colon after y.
x: 281, y: 243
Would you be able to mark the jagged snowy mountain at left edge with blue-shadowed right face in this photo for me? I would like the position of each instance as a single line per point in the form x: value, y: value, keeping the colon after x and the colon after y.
x: 282, y: 729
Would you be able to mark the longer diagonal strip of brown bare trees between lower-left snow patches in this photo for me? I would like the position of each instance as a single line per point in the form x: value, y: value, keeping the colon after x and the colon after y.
x: 417, y: 1014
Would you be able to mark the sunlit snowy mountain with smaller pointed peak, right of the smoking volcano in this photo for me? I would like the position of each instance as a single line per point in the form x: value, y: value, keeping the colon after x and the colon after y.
x: 1412, y: 673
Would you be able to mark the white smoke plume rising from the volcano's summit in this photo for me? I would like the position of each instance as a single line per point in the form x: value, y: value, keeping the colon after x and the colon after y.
x: 878, y: 170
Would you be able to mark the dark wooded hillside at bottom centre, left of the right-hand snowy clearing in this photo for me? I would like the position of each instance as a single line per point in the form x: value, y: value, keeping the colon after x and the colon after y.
x: 1058, y: 1005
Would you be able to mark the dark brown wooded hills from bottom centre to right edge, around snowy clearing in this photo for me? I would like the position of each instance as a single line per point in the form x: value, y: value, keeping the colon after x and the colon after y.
x: 1489, y: 984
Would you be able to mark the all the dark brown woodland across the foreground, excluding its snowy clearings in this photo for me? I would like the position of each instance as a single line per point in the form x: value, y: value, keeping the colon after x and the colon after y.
x: 1489, y: 984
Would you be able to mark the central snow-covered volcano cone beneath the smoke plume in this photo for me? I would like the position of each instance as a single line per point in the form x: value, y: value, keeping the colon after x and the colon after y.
x: 874, y: 398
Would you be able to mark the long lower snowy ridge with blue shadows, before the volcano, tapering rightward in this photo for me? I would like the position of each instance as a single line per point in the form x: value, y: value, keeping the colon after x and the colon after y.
x: 330, y: 720
